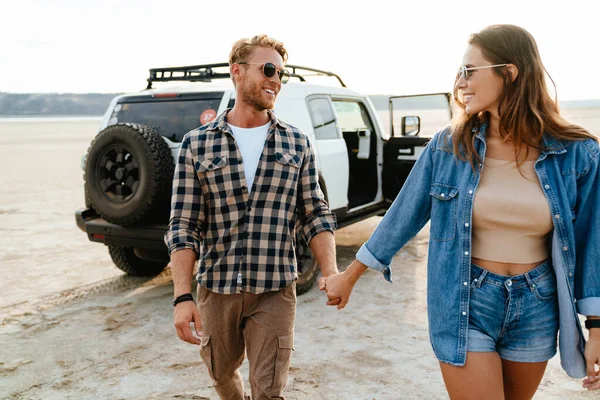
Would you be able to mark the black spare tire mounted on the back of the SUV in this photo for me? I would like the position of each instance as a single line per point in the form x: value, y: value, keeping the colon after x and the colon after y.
x: 129, y: 175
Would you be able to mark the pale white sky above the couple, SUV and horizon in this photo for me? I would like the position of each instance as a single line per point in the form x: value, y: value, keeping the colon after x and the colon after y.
x: 394, y: 47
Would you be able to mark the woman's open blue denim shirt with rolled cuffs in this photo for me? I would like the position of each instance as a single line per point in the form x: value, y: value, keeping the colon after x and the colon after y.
x: 440, y: 187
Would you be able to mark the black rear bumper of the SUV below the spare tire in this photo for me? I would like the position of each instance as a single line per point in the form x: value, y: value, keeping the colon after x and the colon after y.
x: 101, y: 231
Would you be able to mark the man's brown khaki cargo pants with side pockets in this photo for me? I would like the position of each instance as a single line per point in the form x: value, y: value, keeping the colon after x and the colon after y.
x: 262, y: 325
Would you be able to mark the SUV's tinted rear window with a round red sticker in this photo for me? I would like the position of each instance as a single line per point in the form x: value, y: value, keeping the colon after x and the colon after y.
x: 171, y: 119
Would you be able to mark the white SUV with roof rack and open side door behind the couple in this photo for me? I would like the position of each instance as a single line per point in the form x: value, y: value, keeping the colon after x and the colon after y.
x: 129, y: 166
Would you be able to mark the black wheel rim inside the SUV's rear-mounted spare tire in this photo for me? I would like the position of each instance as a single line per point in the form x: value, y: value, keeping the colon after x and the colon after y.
x: 117, y: 174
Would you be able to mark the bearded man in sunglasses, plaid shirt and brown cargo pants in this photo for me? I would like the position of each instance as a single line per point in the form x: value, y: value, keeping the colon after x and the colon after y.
x: 241, y: 185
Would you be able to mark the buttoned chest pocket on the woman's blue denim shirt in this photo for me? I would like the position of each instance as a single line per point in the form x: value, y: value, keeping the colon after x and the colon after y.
x: 443, y: 212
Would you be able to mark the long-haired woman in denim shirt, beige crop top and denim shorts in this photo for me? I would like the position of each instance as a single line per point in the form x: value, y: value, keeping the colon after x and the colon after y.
x: 513, y: 194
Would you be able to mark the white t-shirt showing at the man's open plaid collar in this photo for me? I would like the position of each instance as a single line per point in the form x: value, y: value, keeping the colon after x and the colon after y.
x: 251, y: 142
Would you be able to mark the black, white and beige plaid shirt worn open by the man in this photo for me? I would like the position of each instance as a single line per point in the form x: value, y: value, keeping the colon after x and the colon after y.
x: 245, y: 241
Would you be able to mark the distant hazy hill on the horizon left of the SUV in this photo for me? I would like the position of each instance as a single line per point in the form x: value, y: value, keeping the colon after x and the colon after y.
x: 43, y: 104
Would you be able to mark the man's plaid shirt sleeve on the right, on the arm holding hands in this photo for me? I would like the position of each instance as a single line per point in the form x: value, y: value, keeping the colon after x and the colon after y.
x: 313, y: 211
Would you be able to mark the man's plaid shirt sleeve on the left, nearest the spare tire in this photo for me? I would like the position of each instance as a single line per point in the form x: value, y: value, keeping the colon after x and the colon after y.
x: 187, y: 204
